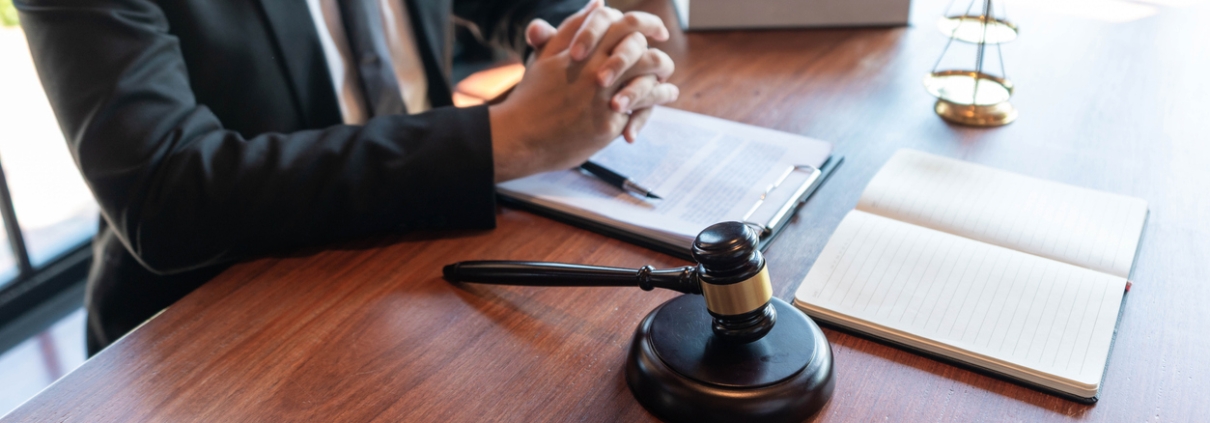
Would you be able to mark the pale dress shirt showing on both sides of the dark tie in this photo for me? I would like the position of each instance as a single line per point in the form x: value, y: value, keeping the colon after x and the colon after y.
x: 401, y: 42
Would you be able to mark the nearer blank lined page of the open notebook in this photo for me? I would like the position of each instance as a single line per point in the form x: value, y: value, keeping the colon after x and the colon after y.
x: 977, y: 303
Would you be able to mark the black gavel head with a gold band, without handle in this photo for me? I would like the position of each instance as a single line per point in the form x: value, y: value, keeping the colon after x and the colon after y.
x: 735, y: 282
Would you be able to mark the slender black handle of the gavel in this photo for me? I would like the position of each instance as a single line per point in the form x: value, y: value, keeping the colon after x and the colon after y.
x: 538, y: 274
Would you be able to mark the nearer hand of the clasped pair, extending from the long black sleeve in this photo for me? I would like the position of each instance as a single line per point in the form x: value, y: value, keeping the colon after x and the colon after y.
x: 560, y: 114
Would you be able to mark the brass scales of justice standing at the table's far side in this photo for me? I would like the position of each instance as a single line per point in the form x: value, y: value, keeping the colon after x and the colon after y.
x: 975, y: 97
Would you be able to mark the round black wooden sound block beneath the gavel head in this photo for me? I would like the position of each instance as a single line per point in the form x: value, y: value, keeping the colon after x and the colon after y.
x: 681, y: 372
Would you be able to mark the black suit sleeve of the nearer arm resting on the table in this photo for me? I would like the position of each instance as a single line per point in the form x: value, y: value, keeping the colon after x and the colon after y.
x: 183, y: 193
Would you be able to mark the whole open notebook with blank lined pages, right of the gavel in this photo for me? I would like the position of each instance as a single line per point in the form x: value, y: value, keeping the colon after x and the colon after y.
x: 1013, y: 275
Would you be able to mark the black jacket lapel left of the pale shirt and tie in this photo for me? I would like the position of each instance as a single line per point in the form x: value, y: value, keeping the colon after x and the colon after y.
x: 303, y: 62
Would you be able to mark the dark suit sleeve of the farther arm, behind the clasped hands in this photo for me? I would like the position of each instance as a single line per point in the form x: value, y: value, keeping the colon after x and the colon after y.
x: 504, y: 24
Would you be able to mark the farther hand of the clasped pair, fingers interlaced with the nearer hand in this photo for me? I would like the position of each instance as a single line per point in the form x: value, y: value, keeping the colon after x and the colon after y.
x: 627, y: 33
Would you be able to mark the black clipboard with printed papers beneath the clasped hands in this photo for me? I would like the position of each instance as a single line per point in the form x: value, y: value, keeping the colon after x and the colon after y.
x: 707, y: 170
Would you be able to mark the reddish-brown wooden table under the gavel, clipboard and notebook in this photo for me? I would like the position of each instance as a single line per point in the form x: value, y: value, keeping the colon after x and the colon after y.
x: 371, y: 332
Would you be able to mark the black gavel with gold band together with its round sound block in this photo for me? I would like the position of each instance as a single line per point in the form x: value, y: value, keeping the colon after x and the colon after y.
x: 746, y: 367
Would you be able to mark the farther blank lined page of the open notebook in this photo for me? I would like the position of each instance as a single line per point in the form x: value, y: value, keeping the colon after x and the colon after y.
x: 1080, y: 227
